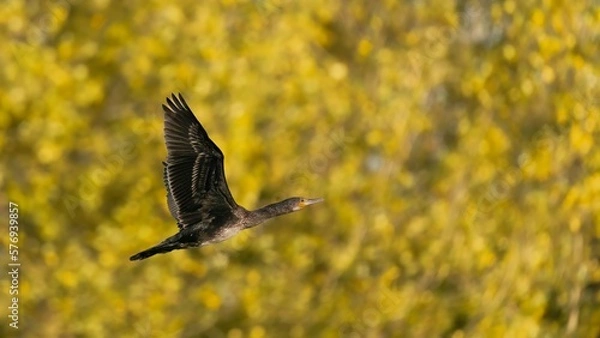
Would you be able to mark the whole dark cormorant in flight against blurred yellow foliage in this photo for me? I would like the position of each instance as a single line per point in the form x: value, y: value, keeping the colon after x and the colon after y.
x: 197, y: 192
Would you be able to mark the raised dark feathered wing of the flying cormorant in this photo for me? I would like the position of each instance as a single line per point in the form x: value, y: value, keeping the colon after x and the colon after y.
x: 197, y: 191
